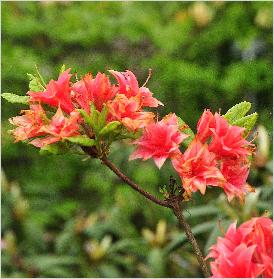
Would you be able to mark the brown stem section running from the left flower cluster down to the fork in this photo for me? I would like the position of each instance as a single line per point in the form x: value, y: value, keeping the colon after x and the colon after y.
x: 133, y: 185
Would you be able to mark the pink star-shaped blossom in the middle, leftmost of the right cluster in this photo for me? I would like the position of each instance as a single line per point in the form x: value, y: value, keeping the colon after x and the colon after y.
x: 159, y: 141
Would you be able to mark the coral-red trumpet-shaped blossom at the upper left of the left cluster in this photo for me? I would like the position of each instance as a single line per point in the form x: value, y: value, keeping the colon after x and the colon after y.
x: 57, y: 93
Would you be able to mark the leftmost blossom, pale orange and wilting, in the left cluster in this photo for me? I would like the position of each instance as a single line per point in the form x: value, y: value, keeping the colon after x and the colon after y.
x: 29, y: 124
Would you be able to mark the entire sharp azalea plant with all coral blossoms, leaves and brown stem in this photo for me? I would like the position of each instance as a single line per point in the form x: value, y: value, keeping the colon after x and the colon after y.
x: 86, y: 115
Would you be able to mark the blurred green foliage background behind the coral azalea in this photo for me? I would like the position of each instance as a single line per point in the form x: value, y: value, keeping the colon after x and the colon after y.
x: 68, y: 216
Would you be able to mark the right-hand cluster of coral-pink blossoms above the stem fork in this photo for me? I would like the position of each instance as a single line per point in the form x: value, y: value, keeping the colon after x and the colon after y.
x: 217, y: 156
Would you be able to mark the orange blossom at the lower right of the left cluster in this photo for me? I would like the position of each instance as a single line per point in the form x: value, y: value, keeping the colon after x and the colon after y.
x: 128, y: 111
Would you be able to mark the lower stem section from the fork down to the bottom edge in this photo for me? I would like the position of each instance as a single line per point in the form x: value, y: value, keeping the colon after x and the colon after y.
x: 178, y: 213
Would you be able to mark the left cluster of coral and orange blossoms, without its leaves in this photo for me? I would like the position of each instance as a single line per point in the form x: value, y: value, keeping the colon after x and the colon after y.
x: 124, y: 102
